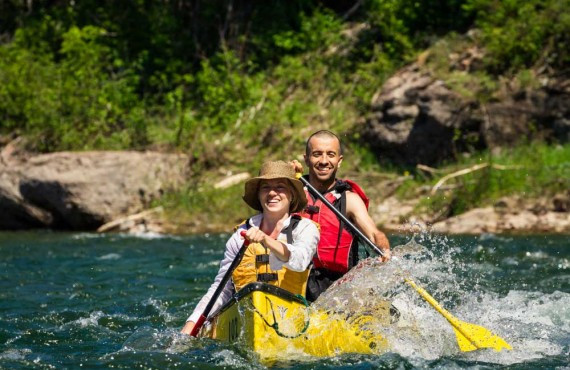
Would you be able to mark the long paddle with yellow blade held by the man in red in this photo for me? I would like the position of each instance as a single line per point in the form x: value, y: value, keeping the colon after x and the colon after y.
x: 469, y: 336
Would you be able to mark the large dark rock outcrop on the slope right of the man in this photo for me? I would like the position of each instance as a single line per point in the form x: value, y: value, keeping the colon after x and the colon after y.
x: 417, y: 118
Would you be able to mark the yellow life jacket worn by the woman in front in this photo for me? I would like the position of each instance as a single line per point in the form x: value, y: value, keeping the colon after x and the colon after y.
x: 254, y: 266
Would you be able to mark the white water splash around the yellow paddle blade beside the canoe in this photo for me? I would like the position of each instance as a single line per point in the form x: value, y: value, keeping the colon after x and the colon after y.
x: 530, y: 321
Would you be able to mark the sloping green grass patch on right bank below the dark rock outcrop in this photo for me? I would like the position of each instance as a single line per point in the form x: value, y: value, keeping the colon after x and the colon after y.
x: 530, y: 171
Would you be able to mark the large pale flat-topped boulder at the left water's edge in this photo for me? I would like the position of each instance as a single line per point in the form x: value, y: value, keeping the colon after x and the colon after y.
x: 82, y: 191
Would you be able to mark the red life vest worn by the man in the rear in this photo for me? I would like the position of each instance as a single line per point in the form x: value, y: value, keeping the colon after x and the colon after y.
x: 333, y: 250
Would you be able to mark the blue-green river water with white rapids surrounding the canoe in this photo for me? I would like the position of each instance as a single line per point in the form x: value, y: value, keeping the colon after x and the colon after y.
x: 118, y: 301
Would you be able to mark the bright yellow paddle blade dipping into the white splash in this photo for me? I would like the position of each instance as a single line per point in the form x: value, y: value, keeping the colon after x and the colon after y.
x: 471, y: 337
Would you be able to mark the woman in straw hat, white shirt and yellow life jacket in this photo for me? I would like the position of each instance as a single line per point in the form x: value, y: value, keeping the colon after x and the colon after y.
x: 288, y: 242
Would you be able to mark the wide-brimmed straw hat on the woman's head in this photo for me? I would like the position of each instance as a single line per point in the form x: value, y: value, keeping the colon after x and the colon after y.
x: 275, y: 170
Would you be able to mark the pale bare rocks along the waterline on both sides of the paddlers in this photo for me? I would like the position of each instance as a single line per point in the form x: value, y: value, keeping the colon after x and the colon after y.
x: 113, y: 191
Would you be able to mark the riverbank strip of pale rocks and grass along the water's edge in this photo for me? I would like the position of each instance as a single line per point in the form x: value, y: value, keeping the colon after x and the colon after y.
x: 141, y: 192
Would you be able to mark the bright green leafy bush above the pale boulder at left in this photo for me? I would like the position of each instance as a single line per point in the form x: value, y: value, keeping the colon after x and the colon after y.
x: 84, y: 100
